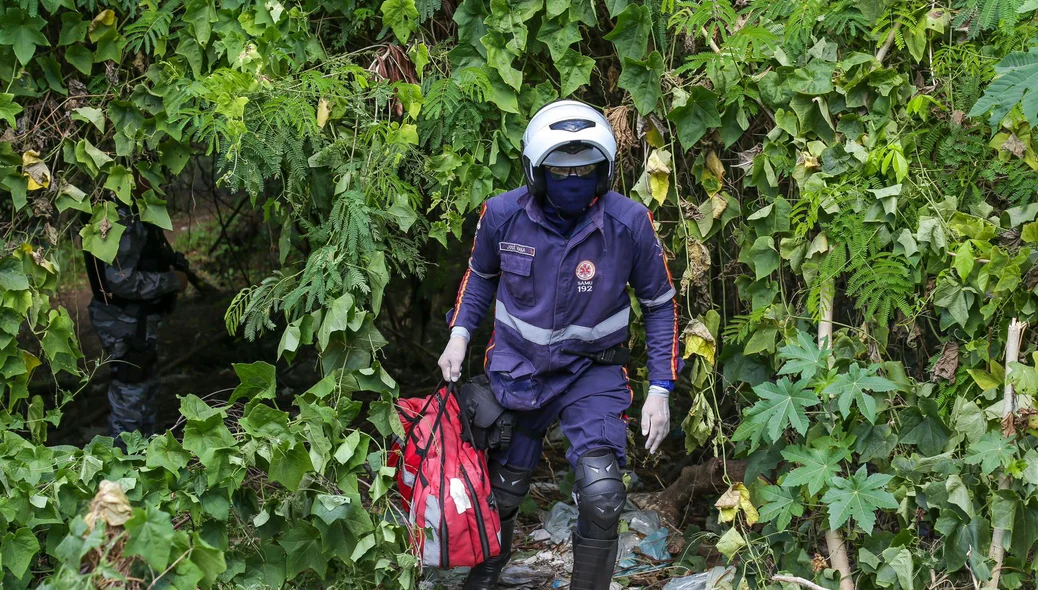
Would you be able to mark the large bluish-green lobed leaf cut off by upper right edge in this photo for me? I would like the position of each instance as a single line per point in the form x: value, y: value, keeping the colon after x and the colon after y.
x: 1017, y: 84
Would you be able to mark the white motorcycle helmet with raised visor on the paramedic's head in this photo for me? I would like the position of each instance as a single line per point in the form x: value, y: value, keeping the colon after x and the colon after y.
x: 568, y: 133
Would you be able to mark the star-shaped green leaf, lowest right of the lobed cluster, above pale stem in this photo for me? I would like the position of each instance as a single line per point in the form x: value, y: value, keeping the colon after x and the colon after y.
x: 859, y: 498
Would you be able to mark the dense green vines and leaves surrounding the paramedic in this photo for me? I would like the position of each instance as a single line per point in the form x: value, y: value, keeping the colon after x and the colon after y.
x: 873, y: 159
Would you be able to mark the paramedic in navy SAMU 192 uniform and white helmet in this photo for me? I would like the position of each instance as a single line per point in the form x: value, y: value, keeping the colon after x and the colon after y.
x: 555, y: 259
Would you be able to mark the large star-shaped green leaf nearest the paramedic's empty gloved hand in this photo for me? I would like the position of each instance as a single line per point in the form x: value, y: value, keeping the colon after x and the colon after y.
x: 782, y: 406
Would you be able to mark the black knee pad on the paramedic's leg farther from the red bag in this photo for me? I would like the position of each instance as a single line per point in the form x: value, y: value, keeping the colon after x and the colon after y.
x: 602, y: 495
